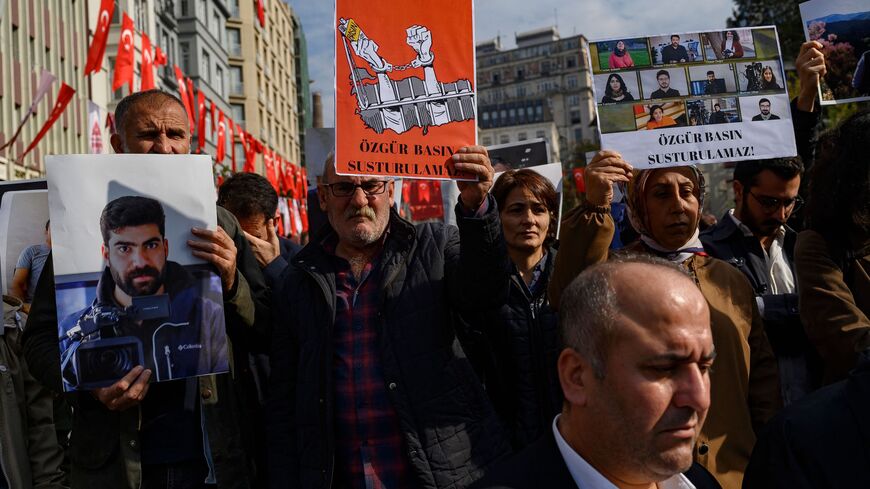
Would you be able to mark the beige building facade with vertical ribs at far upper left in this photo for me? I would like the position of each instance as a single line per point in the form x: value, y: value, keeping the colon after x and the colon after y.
x: 37, y: 35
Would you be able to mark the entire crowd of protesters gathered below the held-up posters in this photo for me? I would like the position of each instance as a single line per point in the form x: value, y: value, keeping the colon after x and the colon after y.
x: 385, y: 354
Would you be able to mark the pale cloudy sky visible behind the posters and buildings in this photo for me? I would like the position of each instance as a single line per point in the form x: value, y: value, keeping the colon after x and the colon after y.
x: 595, y: 19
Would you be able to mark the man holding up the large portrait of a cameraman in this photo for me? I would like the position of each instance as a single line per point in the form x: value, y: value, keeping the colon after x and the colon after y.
x: 132, y: 434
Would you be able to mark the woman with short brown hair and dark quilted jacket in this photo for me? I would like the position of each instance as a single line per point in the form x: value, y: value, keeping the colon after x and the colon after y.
x: 522, y: 333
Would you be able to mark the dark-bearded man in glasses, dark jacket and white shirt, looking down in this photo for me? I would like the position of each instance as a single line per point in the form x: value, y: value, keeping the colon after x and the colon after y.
x: 755, y: 238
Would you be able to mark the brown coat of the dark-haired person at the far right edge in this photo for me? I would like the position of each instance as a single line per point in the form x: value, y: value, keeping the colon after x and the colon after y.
x: 834, y: 314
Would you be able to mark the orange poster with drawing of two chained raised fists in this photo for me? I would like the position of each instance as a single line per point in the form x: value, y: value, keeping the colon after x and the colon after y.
x: 404, y: 87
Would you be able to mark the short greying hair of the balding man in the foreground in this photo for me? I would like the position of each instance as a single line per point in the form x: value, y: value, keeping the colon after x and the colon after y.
x: 590, y: 307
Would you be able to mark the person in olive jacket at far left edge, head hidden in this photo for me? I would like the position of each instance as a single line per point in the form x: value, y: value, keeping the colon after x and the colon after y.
x: 30, y: 456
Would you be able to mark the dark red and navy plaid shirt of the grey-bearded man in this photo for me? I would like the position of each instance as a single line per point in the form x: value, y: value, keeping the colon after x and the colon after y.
x: 370, y: 451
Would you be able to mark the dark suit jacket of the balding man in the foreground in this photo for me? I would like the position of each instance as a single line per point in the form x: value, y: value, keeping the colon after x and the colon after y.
x: 540, y: 465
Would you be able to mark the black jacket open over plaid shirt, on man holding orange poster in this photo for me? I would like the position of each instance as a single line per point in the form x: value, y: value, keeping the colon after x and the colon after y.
x: 451, y: 432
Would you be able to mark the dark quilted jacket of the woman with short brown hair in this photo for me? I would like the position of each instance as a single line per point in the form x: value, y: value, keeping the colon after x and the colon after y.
x: 516, y: 347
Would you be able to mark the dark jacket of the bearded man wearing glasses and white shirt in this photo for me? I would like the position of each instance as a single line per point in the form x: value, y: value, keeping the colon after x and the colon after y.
x: 782, y: 324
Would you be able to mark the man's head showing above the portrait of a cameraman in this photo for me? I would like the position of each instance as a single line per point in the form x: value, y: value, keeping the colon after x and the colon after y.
x: 152, y: 121
